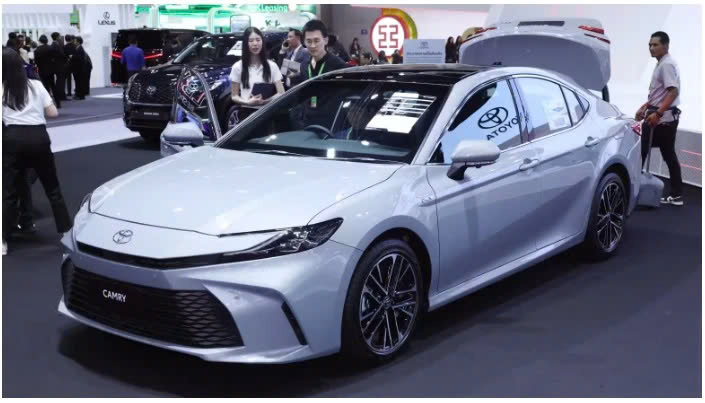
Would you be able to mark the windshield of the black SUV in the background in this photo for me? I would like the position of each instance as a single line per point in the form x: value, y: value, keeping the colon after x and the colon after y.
x: 221, y: 50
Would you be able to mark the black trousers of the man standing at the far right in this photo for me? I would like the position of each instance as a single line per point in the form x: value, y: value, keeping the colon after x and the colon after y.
x: 665, y: 139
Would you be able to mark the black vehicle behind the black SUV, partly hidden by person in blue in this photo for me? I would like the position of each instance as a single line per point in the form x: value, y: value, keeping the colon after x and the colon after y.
x: 159, y: 45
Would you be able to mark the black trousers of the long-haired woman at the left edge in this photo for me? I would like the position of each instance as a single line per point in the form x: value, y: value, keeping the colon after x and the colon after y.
x: 29, y: 147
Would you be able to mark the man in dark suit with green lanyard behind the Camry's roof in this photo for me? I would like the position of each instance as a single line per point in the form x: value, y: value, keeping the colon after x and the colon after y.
x: 316, y: 40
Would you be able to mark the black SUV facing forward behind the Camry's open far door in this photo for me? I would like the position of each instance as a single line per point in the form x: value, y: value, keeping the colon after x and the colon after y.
x: 148, y: 98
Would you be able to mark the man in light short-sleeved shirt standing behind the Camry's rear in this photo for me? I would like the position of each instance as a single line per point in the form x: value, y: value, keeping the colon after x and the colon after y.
x: 661, y: 113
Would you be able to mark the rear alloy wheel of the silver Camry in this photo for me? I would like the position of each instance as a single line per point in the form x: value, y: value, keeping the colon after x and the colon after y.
x: 610, y: 216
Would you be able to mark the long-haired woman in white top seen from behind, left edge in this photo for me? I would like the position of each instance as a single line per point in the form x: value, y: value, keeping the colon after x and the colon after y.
x: 25, y: 142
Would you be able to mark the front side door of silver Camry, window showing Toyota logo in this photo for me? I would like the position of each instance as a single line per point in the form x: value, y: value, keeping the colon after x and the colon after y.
x: 485, y: 219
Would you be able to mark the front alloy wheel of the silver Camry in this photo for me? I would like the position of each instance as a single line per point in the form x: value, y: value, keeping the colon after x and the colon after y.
x: 389, y: 304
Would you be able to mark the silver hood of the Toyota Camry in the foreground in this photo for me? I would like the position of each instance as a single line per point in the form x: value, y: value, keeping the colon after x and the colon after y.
x: 217, y: 191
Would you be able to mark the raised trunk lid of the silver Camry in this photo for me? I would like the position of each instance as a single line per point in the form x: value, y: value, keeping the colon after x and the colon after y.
x: 577, y: 48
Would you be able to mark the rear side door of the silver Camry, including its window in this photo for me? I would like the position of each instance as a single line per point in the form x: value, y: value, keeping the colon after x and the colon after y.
x: 567, y: 149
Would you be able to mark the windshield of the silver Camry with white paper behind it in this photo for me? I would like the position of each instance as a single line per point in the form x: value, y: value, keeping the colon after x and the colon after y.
x: 357, y: 120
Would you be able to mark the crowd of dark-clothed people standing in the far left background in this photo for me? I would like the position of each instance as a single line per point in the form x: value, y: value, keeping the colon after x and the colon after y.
x: 63, y: 66
